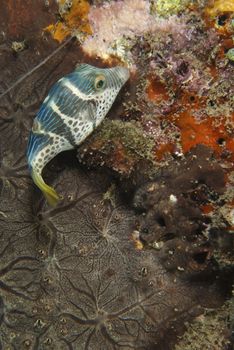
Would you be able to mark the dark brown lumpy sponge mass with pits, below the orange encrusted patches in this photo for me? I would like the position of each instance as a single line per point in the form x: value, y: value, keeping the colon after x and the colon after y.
x: 171, y: 219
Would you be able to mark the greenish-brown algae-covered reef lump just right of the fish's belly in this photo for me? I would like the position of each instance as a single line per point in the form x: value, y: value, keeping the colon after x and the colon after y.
x: 125, y: 141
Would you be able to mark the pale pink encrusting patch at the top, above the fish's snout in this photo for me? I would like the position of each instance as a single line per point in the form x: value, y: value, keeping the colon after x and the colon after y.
x: 124, y: 19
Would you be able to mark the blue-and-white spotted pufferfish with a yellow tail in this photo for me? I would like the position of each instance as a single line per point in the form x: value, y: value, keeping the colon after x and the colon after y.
x: 74, y: 107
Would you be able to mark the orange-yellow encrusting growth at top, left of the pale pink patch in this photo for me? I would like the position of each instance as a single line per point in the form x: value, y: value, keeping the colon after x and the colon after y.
x: 74, y: 21
